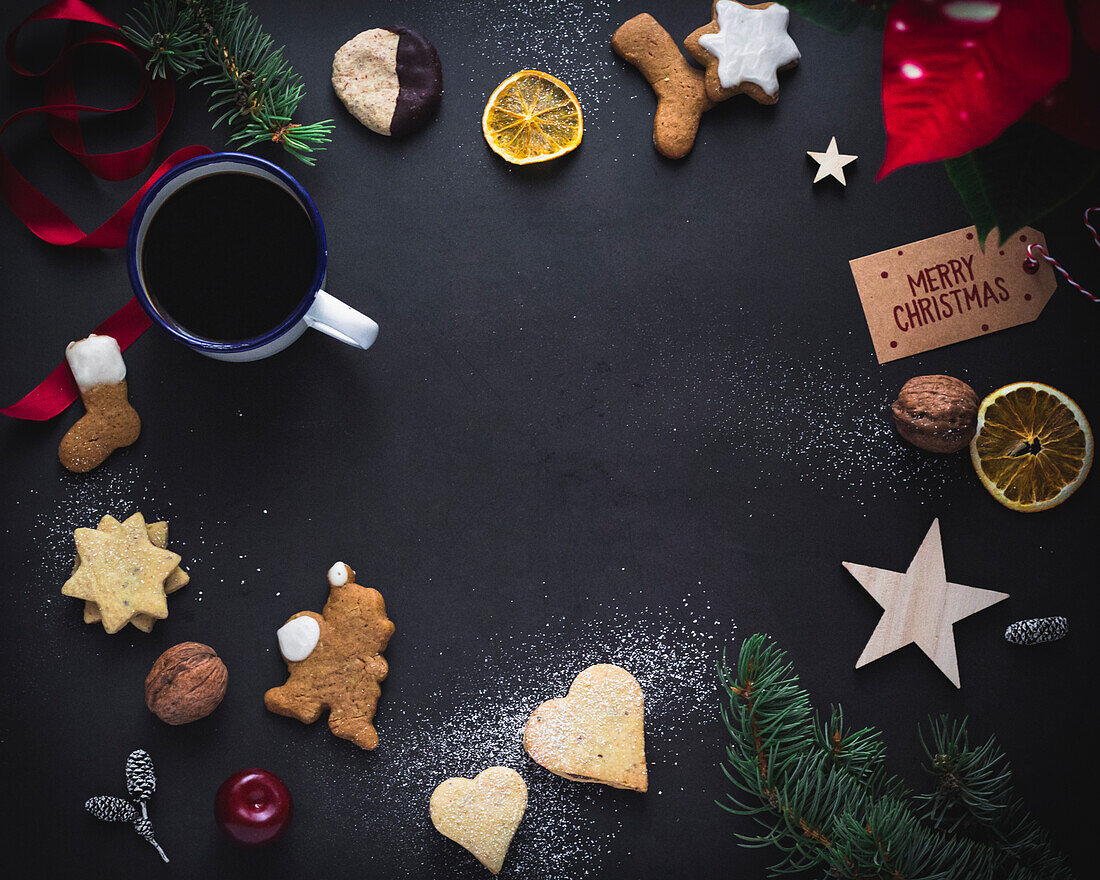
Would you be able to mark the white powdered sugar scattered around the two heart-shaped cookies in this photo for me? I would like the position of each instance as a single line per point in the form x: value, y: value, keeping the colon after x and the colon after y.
x: 667, y: 648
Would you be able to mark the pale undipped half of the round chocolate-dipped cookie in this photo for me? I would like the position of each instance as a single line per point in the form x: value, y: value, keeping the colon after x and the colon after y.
x: 365, y: 78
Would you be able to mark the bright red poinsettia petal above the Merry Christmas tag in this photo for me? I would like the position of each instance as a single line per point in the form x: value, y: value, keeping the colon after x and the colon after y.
x: 958, y: 73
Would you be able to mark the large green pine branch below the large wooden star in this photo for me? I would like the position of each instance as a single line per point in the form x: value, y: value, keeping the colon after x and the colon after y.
x: 823, y: 797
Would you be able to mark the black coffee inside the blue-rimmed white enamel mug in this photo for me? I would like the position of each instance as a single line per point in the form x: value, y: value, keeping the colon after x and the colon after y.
x: 229, y: 257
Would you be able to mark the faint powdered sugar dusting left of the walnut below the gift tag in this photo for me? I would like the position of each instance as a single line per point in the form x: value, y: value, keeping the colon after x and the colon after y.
x: 799, y: 406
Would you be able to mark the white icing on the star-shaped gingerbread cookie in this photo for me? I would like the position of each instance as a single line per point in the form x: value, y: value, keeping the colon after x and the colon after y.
x: 752, y: 46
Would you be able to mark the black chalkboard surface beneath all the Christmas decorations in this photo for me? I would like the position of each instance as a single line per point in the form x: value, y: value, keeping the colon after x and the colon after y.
x: 619, y: 406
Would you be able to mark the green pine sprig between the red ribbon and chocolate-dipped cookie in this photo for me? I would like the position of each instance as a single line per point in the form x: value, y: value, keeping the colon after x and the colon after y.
x: 254, y: 89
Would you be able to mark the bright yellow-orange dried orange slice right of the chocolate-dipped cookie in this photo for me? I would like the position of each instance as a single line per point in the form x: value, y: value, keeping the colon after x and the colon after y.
x: 533, y: 117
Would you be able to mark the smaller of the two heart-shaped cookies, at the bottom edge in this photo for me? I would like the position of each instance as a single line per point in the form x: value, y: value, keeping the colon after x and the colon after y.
x: 482, y: 813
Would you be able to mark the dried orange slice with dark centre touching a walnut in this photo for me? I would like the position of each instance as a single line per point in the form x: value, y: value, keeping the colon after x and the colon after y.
x: 1033, y: 447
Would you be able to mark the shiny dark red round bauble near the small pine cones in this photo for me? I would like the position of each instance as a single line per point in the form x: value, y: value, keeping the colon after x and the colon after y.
x: 254, y: 808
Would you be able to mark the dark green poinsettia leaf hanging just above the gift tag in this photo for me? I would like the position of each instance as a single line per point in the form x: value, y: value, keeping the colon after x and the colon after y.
x: 1021, y: 177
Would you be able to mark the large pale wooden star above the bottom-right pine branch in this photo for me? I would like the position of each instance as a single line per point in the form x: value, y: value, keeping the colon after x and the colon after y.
x: 921, y: 607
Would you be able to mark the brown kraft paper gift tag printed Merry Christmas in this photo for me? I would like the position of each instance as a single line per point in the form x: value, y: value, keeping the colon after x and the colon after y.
x: 944, y: 290
